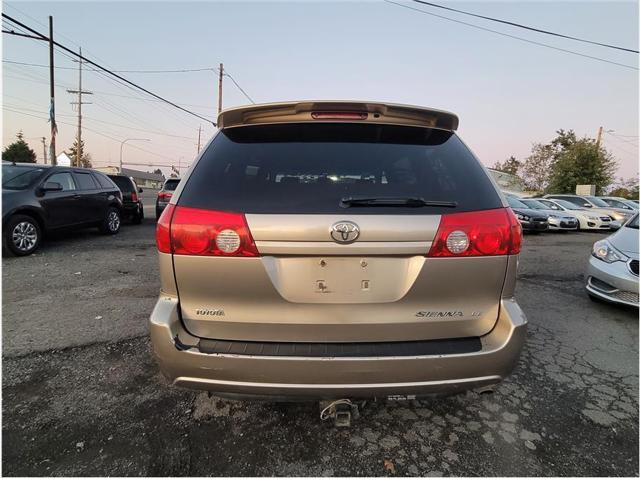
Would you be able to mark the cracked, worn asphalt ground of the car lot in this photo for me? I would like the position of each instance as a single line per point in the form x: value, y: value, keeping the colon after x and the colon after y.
x: 82, y: 395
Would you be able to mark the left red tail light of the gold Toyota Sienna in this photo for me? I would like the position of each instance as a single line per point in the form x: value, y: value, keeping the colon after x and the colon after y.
x: 200, y: 232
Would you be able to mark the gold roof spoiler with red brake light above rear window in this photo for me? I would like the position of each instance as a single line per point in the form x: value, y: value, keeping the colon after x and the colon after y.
x: 337, y: 111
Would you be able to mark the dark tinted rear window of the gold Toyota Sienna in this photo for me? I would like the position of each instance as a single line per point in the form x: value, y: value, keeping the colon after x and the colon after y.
x: 309, y: 168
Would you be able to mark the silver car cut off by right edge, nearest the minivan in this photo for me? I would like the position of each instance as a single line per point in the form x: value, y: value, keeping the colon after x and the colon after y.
x: 612, y: 273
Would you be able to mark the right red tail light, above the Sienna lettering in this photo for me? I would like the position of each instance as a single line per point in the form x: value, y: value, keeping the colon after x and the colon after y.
x: 495, y: 232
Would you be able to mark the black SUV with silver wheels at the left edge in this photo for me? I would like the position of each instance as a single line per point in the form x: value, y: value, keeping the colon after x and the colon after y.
x: 37, y: 199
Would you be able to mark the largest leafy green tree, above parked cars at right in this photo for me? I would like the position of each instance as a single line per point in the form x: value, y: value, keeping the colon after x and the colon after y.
x: 580, y: 161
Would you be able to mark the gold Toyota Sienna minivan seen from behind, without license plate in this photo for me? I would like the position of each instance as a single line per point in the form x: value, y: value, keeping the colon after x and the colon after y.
x: 328, y: 250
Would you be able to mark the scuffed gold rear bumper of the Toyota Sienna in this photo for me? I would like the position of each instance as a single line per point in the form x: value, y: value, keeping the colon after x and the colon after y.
x: 294, y: 377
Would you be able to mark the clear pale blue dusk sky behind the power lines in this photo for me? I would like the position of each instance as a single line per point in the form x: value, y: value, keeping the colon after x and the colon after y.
x: 507, y: 93
